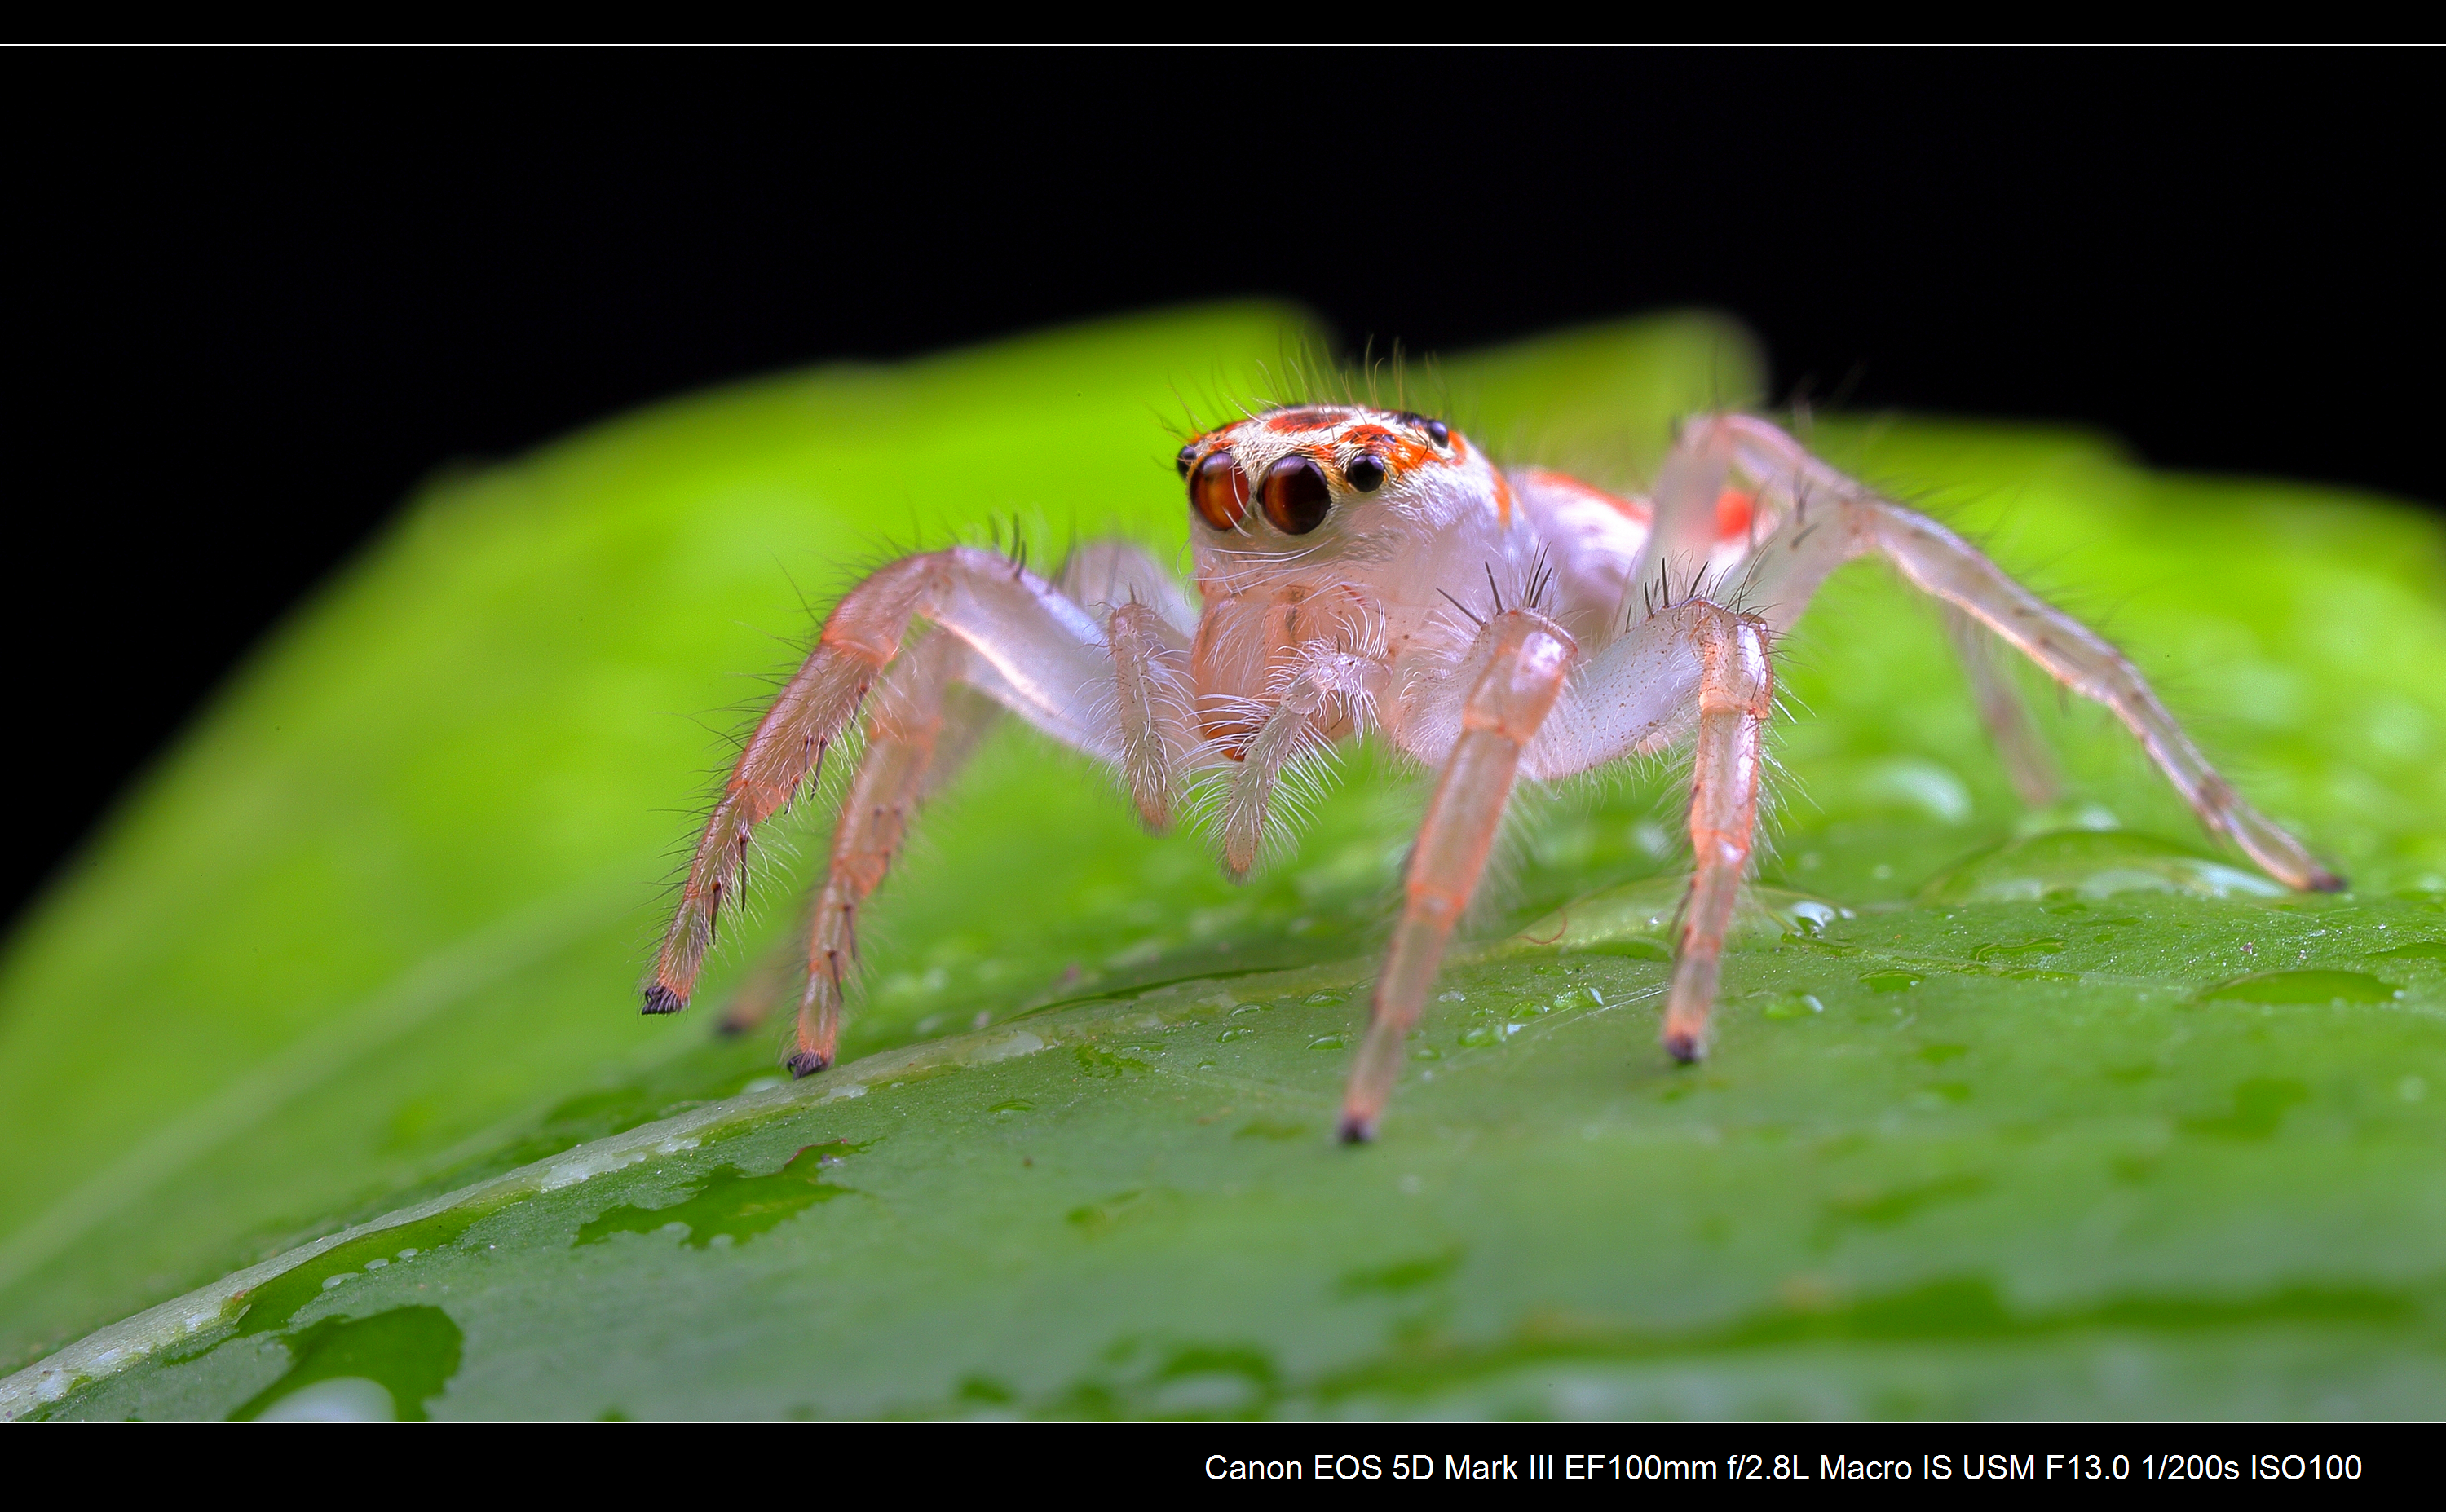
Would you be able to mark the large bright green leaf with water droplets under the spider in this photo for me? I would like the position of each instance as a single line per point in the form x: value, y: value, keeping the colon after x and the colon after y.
x: 2009, y: 1114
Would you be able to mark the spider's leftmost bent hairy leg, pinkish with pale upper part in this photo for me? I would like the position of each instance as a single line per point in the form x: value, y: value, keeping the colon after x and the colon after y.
x: 1036, y: 652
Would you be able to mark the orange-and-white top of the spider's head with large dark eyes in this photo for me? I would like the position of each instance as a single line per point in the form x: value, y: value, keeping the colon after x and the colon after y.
x: 1317, y: 473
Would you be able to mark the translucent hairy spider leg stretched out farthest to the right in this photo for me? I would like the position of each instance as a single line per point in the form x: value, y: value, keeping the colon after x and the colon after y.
x: 1848, y: 520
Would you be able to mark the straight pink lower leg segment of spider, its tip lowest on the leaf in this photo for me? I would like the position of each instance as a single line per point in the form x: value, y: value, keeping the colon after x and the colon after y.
x: 1528, y: 662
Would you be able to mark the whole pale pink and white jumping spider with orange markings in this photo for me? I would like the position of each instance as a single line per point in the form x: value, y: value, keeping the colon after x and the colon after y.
x: 1366, y: 569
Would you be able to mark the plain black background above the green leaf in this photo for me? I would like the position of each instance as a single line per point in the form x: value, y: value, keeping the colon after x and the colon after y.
x: 260, y: 295
